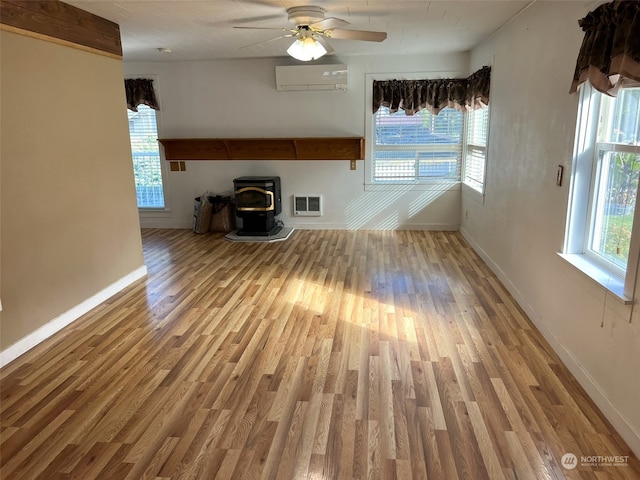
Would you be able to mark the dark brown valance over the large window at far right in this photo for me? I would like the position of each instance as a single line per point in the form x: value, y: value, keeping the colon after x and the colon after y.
x: 610, y: 51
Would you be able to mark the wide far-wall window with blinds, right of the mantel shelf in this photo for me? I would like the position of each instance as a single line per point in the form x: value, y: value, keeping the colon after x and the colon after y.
x: 416, y: 148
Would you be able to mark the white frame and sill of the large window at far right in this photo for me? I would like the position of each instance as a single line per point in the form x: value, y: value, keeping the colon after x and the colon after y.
x: 580, y: 213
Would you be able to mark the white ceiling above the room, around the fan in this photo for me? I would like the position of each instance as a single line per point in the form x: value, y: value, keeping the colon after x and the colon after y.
x: 198, y: 30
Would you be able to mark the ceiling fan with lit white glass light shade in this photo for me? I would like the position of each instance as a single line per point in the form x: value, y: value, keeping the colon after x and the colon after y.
x: 311, y: 31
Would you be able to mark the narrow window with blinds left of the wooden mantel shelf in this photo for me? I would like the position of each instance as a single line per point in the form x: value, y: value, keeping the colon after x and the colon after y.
x: 147, y: 169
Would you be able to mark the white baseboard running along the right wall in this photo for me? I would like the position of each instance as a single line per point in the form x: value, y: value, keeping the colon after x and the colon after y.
x: 617, y: 419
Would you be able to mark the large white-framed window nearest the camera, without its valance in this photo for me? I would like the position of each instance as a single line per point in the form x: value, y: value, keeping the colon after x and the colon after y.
x: 606, y: 170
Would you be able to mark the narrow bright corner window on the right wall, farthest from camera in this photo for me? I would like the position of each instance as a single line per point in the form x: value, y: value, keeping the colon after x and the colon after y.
x: 475, y: 153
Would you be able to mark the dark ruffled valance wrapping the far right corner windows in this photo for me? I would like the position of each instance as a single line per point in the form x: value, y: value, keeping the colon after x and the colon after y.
x: 413, y: 95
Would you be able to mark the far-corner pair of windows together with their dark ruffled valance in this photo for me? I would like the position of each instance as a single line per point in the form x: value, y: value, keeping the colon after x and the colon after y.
x: 436, y: 139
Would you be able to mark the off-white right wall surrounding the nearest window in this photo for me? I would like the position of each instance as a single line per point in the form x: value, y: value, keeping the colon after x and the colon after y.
x: 520, y: 226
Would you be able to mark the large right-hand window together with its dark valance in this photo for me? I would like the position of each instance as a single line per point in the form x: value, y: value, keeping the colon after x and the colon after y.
x: 602, y: 238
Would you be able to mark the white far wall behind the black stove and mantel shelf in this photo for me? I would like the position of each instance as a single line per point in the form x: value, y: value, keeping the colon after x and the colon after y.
x: 238, y: 98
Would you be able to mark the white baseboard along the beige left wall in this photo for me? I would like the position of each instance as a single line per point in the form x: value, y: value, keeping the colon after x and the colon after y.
x: 34, y: 338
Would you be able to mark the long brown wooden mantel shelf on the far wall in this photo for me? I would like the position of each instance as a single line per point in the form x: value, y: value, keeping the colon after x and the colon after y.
x: 319, y: 148
